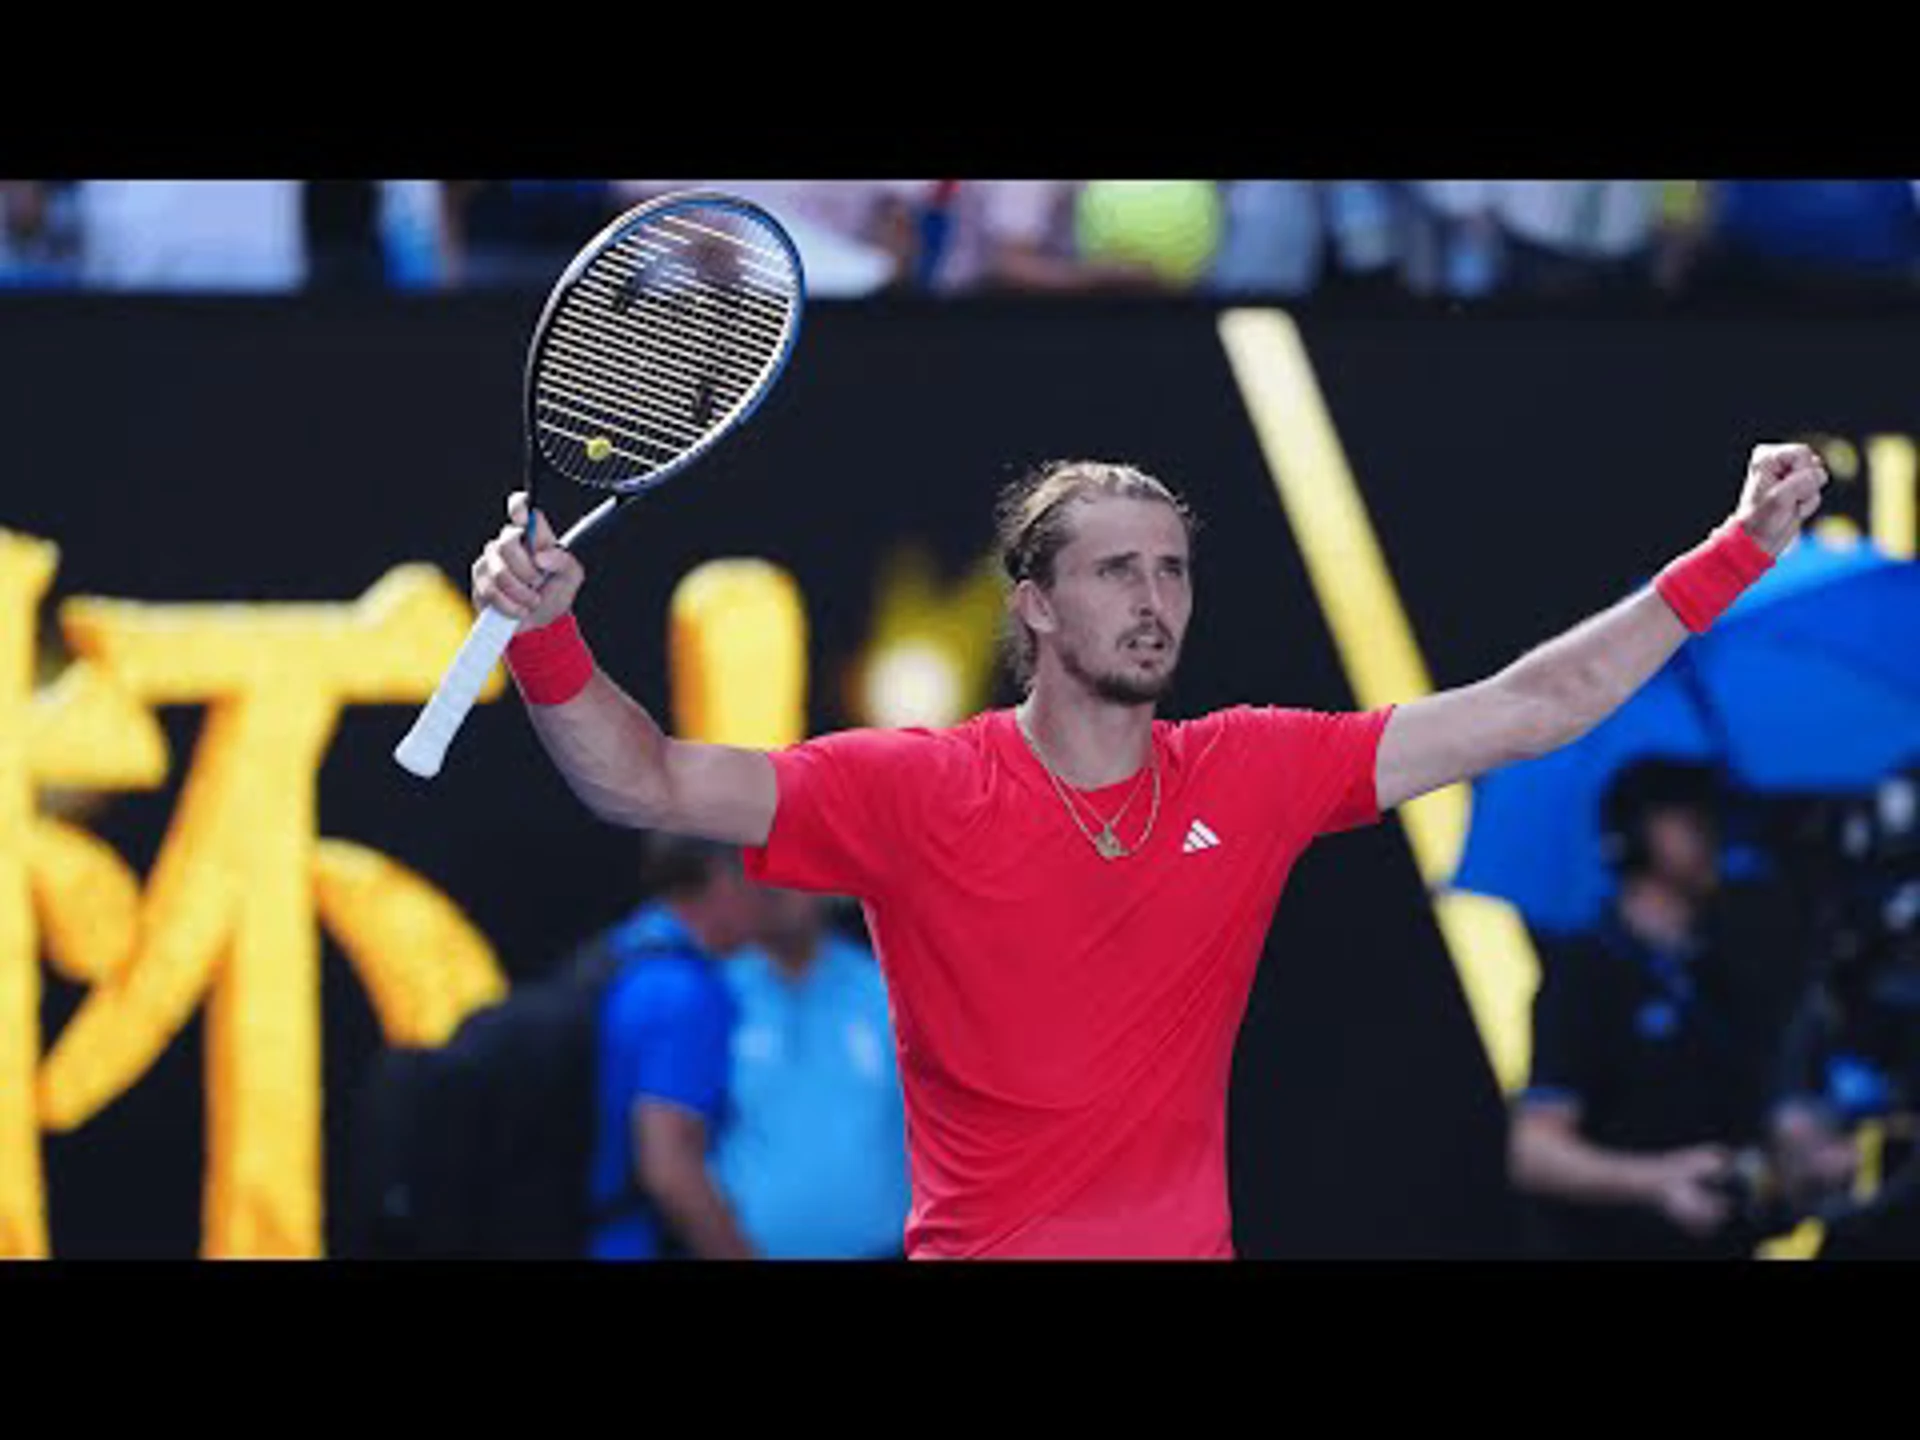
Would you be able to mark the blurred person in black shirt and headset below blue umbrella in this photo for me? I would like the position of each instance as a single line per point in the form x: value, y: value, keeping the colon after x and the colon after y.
x: 1656, y: 1040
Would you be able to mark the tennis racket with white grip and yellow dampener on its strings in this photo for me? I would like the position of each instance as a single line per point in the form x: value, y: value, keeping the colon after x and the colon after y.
x: 661, y: 337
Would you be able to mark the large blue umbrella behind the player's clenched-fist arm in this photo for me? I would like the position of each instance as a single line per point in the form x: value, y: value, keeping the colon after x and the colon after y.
x: 1808, y: 684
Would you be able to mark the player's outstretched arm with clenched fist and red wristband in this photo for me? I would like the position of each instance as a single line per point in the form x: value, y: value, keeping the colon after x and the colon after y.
x: 1564, y: 688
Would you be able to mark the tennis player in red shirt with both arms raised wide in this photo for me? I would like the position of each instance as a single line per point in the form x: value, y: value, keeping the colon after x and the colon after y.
x: 1070, y: 896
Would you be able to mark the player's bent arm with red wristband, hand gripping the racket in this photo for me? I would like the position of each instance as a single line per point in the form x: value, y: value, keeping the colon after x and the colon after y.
x: 613, y: 756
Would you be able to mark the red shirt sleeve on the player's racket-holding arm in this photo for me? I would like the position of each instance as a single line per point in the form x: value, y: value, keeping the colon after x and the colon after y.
x: 842, y: 821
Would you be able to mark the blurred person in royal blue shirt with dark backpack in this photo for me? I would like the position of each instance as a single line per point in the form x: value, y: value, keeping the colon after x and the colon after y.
x: 665, y: 1032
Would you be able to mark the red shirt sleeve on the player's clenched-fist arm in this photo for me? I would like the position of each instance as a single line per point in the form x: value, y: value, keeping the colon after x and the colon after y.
x: 1322, y: 761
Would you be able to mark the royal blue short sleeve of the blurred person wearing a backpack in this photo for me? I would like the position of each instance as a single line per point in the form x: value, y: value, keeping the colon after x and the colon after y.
x: 669, y: 1042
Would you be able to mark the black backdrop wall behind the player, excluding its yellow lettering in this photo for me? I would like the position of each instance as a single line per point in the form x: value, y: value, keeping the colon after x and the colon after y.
x: 1522, y: 473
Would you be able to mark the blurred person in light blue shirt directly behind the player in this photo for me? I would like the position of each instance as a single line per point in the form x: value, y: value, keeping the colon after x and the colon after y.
x: 815, y: 1161
